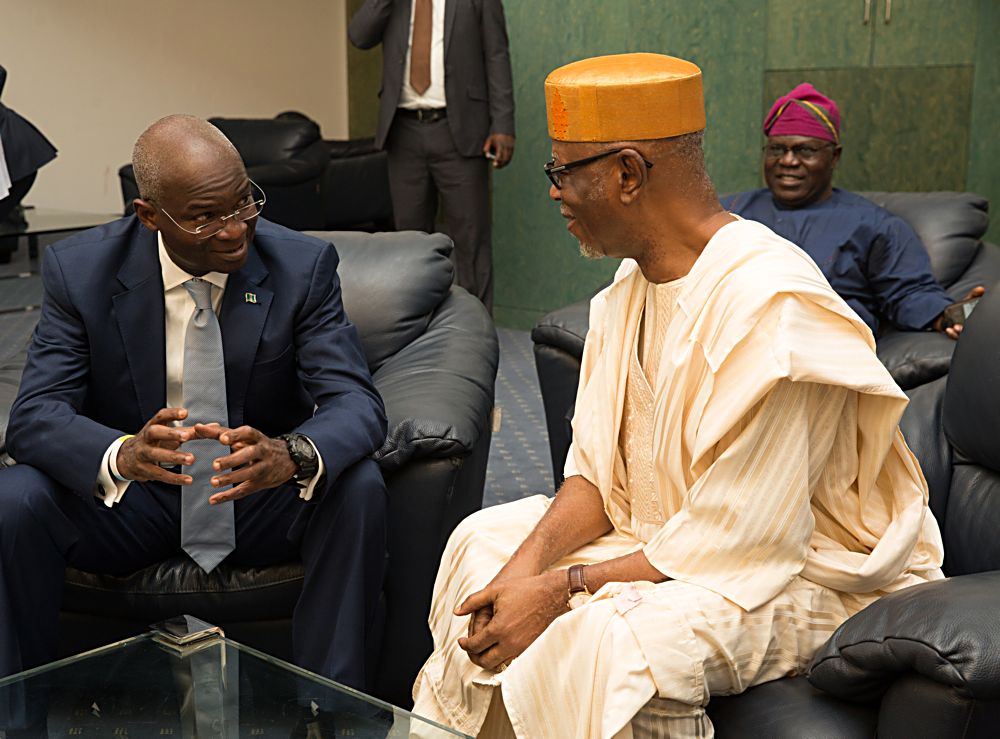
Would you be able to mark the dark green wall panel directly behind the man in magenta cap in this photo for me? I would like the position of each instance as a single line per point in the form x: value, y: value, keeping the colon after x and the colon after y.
x: 888, y: 144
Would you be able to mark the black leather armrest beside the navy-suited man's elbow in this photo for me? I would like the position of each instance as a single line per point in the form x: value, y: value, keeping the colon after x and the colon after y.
x: 438, y: 390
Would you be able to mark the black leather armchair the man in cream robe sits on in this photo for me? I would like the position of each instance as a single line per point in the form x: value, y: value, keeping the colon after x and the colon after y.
x: 924, y: 661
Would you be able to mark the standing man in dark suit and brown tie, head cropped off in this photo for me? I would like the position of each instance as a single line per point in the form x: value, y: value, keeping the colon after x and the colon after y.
x: 447, y: 111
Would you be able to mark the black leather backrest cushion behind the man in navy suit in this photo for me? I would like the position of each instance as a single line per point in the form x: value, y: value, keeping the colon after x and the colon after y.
x: 392, y: 284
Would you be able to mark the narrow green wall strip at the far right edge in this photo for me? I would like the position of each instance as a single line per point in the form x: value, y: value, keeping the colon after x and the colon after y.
x: 984, y: 141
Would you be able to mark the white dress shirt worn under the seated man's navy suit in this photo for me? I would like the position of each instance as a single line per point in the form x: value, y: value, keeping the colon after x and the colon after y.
x: 178, y: 309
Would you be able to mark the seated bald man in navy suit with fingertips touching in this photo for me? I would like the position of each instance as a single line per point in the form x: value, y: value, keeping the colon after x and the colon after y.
x: 99, y: 433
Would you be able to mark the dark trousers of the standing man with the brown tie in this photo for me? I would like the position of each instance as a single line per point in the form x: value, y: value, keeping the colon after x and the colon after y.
x: 425, y: 166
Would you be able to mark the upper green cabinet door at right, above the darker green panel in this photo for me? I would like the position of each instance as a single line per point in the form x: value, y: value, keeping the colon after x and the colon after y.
x: 926, y: 32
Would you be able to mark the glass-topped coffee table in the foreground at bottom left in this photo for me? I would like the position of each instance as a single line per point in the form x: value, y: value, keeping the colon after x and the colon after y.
x: 217, y: 688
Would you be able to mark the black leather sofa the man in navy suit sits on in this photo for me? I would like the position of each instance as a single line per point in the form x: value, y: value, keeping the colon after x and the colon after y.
x: 433, y: 352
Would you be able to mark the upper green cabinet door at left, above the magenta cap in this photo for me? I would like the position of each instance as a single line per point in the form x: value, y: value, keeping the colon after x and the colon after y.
x: 810, y: 35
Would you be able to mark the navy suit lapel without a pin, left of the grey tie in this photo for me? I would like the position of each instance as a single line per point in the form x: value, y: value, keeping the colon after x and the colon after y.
x: 140, y: 317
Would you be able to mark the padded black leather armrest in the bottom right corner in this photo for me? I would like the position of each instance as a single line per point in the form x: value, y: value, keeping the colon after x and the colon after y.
x: 946, y: 631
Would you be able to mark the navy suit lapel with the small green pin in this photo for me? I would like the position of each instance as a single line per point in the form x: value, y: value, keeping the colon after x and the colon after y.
x: 245, y: 306
